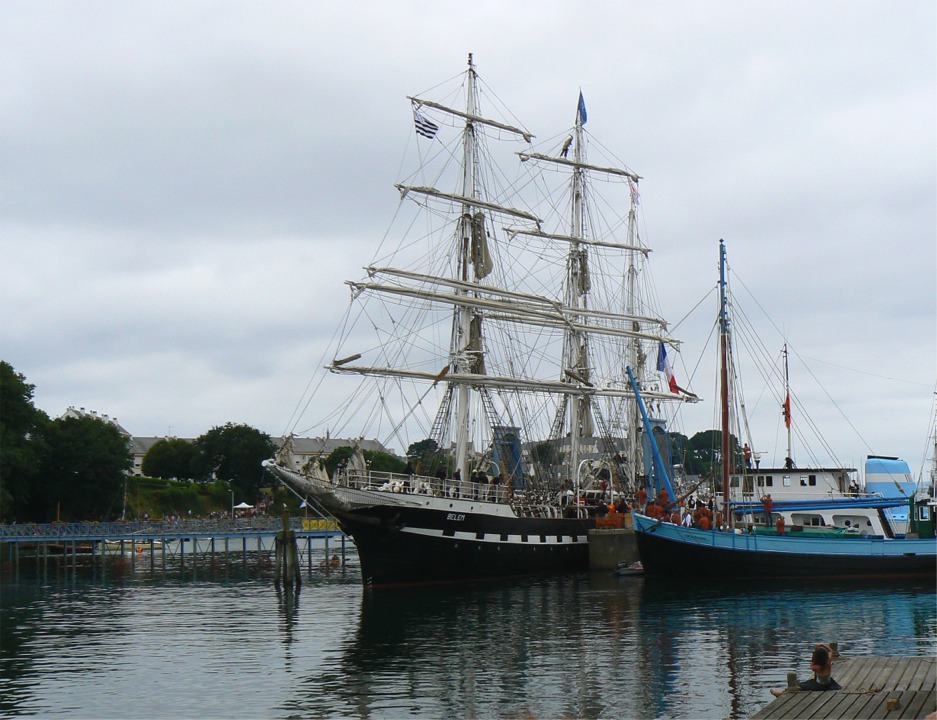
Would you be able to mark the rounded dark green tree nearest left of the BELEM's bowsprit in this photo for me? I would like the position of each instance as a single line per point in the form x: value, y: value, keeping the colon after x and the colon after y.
x: 234, y: 453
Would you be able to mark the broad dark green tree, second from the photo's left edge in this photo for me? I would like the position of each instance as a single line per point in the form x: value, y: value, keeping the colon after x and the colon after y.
x: 83, y: 470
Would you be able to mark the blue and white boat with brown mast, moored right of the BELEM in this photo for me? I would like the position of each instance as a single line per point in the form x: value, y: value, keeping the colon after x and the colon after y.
x: 821, y: 522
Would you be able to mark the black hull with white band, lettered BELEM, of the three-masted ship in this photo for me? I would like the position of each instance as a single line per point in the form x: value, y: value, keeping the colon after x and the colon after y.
x: 405, y: 539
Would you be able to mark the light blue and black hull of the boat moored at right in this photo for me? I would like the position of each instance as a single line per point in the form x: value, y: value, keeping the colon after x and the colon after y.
x: 672, y: 550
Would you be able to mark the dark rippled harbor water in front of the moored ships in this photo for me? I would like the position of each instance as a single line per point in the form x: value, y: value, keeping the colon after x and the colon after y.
x: 218, y: 640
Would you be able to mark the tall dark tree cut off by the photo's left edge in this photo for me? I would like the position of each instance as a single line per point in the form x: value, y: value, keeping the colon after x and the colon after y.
x: 21, y: 443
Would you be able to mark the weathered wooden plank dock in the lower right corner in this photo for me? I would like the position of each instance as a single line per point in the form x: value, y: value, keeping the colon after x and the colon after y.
x: 872, y: 688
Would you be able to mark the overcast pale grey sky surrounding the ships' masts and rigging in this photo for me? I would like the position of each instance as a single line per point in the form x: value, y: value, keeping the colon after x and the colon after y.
x: 185, y: 185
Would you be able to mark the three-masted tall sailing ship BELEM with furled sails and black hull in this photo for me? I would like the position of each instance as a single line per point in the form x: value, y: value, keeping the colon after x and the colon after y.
x: 502, y: 337
